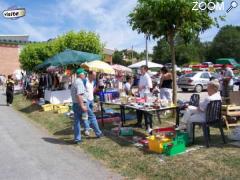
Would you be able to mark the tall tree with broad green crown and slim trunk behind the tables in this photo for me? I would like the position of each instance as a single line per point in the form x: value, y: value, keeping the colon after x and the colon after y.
x: 161, y: 18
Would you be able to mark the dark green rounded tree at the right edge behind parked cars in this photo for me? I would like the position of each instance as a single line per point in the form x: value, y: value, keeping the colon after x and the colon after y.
x: 226, y: 43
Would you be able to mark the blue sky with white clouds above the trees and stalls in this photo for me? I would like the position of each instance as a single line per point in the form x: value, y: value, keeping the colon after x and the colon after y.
x: 47, y: 19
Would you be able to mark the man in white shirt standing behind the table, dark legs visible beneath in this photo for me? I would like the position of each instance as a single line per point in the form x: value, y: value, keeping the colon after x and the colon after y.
x: 144, y: 86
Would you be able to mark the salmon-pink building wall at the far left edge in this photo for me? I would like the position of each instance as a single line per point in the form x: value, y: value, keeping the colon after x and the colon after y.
x: 9, y: 59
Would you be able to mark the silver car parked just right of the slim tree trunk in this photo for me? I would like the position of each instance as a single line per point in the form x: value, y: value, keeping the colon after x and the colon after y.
x: 196, y: 81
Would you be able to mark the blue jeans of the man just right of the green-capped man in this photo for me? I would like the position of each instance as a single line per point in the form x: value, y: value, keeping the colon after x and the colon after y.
x: 92, y: 120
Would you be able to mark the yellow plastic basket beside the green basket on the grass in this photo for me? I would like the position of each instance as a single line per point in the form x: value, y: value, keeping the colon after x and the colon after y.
x: 155, y: 144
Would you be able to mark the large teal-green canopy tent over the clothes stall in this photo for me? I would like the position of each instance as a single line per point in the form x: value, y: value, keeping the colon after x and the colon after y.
x: 68, y: 57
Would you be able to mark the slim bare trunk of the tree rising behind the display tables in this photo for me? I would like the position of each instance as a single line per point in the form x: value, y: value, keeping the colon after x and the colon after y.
x: 172, y: 48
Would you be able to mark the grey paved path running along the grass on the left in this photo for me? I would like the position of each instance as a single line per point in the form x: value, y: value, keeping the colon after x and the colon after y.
x: 28, y: 152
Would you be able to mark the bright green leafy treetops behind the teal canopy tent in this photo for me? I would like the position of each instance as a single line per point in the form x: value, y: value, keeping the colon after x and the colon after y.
x: 34, y: 54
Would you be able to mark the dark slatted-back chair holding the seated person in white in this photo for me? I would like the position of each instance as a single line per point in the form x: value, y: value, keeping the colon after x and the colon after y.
x: 213, y: 117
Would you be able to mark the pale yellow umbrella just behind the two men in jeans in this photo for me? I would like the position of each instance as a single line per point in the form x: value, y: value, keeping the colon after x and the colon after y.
x: 98, y: 66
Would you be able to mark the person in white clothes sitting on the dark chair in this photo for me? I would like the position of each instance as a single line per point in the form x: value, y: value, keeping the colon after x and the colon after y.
x: 198, y: 114
